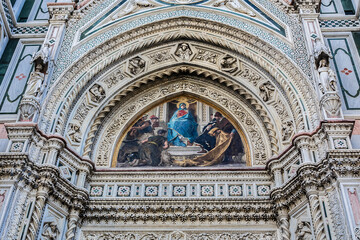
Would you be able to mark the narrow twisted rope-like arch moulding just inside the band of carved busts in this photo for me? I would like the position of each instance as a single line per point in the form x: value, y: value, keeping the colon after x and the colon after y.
x: 212, y: 78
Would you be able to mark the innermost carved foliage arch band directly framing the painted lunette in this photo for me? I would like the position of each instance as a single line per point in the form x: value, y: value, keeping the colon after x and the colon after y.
x: 131, y: 108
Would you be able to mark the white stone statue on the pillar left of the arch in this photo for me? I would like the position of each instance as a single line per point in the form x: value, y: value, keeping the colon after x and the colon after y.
x: 35, y: 86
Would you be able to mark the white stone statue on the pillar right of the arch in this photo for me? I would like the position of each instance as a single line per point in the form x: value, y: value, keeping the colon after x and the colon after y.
x: 327, y: 77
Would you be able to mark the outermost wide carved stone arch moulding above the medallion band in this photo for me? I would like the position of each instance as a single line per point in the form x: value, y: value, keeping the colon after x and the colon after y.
x: 294, y: 83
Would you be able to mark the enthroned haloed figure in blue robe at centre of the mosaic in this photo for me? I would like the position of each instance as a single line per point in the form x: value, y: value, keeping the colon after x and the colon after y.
x: 182, y: 127
